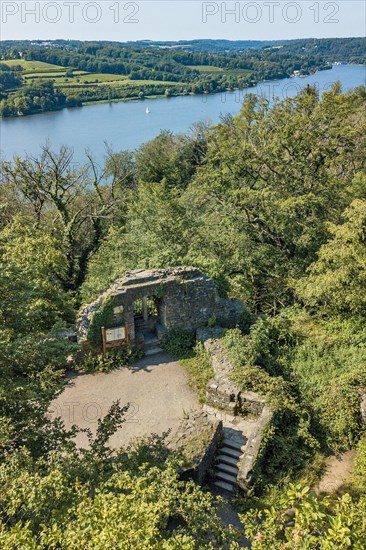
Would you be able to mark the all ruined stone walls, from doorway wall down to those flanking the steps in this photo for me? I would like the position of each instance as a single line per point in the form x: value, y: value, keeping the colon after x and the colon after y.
x: 188, y: 300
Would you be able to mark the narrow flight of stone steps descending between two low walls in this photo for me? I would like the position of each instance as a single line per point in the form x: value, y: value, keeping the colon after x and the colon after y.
x: 226, y: 469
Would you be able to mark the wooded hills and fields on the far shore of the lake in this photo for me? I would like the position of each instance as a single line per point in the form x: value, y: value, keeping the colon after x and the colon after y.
x: 156, y: 69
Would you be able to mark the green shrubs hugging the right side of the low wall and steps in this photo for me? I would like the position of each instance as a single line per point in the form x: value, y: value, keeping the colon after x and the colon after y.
x: 288, y: 442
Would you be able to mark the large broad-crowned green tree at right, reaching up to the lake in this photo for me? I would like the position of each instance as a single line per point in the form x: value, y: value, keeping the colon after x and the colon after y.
x: 270, y: 183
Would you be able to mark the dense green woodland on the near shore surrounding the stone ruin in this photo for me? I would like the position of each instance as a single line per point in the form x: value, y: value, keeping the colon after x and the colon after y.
x: 272, y: 205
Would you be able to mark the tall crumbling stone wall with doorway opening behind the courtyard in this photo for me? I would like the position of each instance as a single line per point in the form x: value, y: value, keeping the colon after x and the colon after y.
x: 185, y: 299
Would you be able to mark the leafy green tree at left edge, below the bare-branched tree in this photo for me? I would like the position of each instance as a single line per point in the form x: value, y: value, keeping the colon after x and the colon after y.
x: 32, y: 267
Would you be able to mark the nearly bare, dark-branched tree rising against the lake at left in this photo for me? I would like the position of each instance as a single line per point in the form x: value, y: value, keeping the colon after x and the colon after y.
x: 75, y: 202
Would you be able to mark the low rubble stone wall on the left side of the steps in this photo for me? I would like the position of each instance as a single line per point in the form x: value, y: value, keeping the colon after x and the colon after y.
x: 198, y: 438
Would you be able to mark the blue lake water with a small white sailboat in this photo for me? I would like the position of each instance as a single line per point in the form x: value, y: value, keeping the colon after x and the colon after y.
x: 125, y: 125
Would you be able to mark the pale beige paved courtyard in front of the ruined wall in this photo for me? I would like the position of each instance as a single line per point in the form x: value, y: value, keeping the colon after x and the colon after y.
x: 156, y: 387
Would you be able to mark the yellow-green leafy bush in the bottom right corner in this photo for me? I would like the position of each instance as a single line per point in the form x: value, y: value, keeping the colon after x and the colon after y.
x: 299, y: 519
